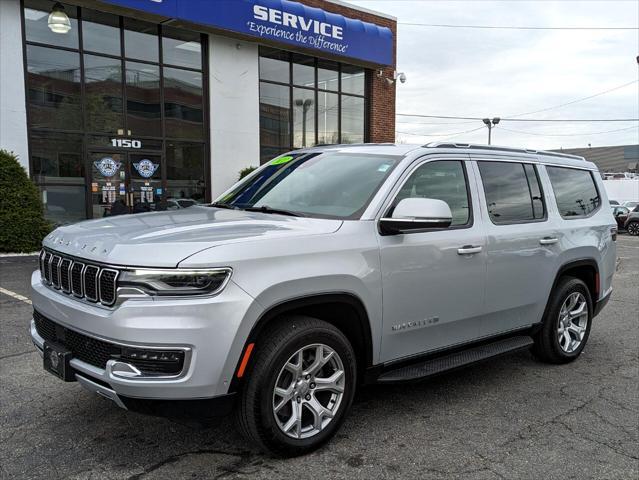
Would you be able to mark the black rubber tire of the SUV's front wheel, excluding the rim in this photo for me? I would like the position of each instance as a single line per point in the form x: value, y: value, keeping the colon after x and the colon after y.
x: 255, y: 410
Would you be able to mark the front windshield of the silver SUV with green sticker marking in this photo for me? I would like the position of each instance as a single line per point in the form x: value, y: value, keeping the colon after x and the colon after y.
x: 326, y: 185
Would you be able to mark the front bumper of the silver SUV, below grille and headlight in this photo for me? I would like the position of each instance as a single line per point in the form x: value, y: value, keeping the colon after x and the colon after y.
x: 155, y: 356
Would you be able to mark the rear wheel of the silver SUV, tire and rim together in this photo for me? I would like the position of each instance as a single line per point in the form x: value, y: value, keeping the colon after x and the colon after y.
x: 567, y: 323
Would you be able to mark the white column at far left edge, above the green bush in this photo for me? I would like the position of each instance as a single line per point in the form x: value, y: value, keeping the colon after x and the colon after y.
x: 13, y: 115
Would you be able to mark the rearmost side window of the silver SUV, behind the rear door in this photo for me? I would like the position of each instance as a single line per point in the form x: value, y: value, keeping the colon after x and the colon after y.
x: 575, y: 191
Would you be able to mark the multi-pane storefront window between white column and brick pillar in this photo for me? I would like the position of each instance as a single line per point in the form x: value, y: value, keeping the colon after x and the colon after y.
x: 327, y: 99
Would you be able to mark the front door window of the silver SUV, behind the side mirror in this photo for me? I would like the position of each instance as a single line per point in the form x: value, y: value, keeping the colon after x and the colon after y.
x: 442, y: 180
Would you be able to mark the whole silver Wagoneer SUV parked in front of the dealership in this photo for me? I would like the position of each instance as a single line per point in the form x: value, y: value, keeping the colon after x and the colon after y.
x: 325, y: 269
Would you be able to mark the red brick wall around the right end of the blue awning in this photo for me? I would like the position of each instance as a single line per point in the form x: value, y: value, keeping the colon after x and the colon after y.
x: 382, y: 95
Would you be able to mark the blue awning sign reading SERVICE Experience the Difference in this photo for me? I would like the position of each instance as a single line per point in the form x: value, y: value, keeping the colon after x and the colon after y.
x: 281, y: 21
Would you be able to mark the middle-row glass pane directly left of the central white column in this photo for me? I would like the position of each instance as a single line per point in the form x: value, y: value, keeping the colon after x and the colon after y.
x: 183, y: 101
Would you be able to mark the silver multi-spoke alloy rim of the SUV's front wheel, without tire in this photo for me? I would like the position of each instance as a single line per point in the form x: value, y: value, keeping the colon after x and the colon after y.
x: 308, y: 391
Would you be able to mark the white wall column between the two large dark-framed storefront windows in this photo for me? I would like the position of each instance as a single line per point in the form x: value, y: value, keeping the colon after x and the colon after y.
x: 234, y: 110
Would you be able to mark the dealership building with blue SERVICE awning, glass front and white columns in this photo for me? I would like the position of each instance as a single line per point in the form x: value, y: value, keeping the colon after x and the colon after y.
x: 160, y: 103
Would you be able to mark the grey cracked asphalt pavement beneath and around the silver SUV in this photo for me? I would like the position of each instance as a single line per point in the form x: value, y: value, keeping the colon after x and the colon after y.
x: 512, y: 417
